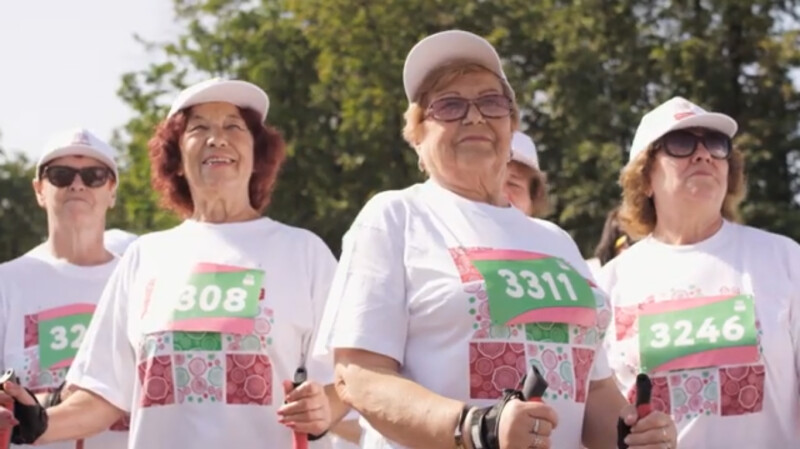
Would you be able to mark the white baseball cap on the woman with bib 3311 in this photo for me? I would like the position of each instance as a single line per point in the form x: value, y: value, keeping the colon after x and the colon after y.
x: 439, y: 49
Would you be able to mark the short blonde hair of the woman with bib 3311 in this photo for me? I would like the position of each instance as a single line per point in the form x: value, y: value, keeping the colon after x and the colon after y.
x: 435, y: 80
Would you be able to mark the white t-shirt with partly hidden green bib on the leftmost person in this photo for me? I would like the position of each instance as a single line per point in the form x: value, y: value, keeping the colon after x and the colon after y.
x: 45, y: 307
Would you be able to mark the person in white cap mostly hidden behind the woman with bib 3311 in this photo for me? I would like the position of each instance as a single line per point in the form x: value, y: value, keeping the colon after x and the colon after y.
x: 526, y: 184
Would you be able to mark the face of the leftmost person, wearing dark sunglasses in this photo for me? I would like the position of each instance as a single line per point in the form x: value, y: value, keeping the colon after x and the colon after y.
x: 75, y: 204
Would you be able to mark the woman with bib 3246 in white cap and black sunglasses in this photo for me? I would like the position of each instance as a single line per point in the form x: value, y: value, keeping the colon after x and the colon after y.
x: 708, y: 307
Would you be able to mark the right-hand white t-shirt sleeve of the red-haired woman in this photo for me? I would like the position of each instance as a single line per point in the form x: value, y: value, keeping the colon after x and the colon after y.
x: 323, y: 267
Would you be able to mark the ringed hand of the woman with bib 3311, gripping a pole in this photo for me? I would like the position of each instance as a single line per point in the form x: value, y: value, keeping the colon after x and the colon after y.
x: 526, y: 425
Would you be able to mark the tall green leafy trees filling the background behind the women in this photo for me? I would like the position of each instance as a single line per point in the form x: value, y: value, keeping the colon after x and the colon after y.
x: 584, y: 73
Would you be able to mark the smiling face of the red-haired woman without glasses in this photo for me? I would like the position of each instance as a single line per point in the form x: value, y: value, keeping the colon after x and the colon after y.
x: 216, y: 150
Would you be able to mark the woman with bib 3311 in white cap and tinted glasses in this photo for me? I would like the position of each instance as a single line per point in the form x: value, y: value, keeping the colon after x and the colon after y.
x: 446, y: 294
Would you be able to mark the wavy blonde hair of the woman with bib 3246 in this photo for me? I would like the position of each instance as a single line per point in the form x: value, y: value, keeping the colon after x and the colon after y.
x: 637, y: 215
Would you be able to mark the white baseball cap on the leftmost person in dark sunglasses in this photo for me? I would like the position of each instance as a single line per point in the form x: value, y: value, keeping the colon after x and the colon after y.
x: 78, y: 142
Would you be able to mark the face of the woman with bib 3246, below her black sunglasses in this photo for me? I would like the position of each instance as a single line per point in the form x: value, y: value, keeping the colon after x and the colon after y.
x: 698, y: 179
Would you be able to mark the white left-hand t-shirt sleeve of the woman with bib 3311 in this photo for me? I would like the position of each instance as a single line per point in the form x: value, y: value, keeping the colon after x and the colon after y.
x: 367, y: 306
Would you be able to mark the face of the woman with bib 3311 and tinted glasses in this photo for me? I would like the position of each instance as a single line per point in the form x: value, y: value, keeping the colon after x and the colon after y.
x: 464, y: 151
